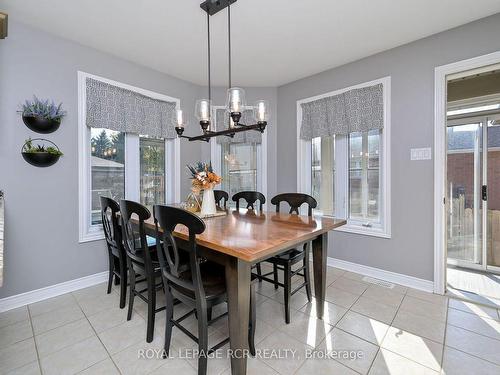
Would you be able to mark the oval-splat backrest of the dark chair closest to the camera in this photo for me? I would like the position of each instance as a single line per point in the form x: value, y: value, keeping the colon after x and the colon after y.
x: 166, y: 219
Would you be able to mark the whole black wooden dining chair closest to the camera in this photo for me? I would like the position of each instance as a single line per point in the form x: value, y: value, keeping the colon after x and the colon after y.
x: 201, y: 285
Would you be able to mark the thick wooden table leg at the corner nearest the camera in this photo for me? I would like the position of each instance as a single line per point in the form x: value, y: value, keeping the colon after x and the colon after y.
x: 238, y: 275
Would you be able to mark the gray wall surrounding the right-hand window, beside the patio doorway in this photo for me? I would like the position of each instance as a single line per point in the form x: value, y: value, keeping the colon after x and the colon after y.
x: 411, y: 67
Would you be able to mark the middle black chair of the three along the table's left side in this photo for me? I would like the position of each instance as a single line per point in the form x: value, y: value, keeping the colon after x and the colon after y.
x: 141, y: 259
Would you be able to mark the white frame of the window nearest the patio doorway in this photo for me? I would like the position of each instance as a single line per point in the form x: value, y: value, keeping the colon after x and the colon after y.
x: 342, y: 166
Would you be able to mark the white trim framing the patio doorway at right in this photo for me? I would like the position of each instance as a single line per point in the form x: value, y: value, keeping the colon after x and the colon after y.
x: 440, y: 76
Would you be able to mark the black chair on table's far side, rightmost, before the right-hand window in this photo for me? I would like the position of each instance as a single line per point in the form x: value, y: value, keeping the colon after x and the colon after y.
x: 288, y: 259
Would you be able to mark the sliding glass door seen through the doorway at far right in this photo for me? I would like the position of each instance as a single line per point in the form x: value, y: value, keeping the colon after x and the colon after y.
x: 473, y: 192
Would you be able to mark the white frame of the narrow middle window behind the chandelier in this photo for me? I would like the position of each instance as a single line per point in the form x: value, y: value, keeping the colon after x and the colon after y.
x: 216, y: 157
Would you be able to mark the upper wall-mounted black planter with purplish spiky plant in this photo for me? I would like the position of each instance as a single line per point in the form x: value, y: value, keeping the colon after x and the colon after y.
x: 42, y: 116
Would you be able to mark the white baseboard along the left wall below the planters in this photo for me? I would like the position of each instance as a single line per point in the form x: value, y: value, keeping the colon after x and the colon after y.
x: 33, y: 296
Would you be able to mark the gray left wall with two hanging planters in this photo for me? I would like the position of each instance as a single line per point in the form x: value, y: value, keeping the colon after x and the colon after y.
x: 41, y: 240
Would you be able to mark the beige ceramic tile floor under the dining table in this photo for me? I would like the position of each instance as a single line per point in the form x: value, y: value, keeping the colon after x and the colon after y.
x: 391, y: 331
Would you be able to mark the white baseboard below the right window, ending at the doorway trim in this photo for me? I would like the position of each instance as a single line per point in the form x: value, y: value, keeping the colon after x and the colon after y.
x: 377, y: 273
